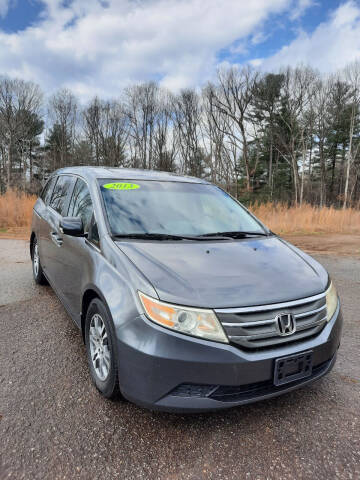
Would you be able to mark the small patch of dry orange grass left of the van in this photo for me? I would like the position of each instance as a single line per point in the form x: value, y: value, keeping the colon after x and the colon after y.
x: 16, y: 209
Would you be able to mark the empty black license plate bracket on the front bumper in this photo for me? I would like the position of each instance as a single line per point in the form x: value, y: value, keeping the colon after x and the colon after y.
x: 293, y: 367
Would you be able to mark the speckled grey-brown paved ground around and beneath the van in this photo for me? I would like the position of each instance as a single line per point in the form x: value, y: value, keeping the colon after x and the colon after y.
x: 54, y: 424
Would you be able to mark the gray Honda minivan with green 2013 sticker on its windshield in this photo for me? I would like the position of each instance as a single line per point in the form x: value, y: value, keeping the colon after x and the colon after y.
x: 185, y: 301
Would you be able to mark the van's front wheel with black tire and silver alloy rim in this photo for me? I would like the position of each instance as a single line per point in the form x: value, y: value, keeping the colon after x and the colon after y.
x: 101, y: 349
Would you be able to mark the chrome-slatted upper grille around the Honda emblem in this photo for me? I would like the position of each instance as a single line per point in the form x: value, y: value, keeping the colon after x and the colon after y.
x: 256, y: 327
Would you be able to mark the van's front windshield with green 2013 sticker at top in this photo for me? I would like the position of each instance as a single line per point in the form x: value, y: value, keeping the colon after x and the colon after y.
x: 172, y: 208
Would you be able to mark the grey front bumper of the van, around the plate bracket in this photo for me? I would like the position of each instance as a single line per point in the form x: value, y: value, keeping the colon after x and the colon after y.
x: 163, y: 370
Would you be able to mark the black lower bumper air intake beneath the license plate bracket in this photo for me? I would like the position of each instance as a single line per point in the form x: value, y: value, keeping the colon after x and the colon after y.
x: 237, y: 393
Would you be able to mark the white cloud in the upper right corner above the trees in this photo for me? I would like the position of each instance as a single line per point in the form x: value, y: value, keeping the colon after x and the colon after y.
x: 331, y: 46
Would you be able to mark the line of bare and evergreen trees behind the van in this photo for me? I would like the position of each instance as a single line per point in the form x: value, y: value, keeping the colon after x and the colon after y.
x: 290, y: 136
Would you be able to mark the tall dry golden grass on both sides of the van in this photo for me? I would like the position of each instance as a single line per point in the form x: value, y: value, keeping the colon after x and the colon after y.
x: 16, y: 211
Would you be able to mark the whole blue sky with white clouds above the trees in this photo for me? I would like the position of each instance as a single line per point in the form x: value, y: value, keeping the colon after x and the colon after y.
x: 98, y: 47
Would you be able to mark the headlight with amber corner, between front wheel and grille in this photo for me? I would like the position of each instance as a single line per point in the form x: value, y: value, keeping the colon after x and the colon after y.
x: 192, y: 321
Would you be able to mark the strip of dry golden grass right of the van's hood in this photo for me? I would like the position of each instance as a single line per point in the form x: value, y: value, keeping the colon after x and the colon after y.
x: 307, y: 219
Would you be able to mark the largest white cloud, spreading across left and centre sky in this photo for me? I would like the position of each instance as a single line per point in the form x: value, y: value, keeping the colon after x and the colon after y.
x: 96, y: 50
